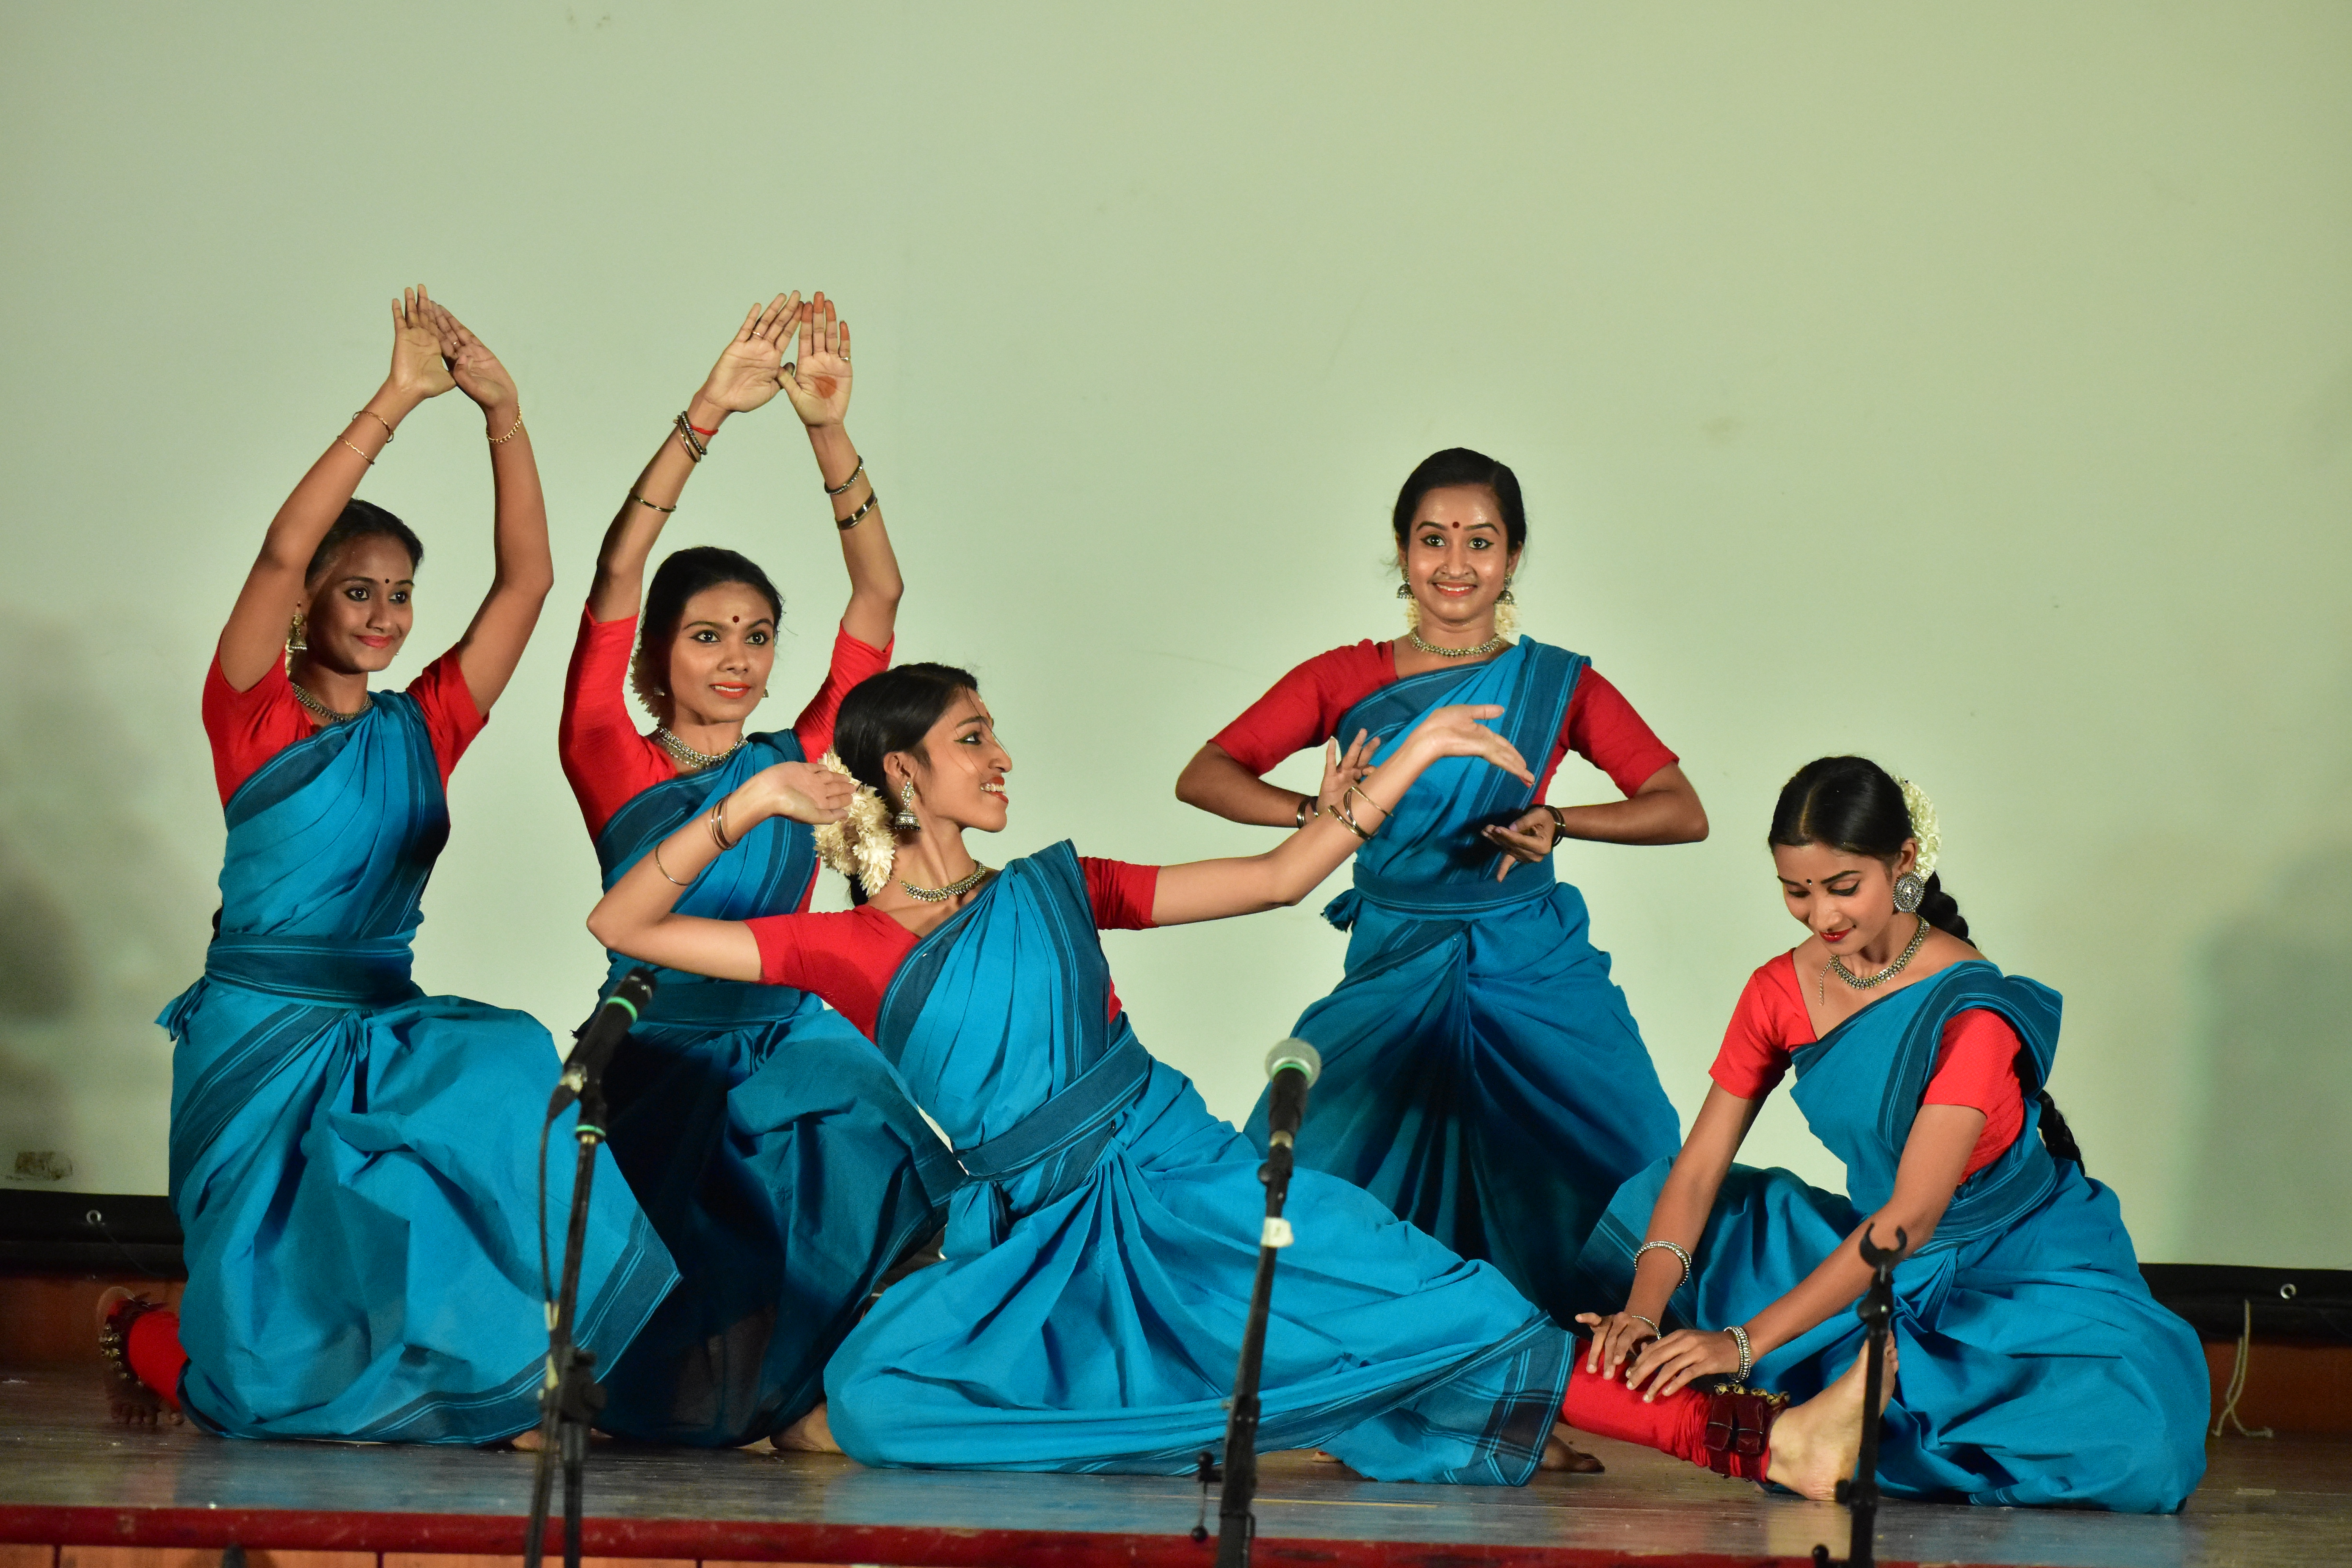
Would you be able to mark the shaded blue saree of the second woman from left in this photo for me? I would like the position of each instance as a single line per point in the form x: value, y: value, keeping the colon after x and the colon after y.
x: 770, y: 1144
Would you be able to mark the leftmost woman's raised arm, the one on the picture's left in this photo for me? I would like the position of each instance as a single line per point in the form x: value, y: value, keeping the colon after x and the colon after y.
x: 274, y: 589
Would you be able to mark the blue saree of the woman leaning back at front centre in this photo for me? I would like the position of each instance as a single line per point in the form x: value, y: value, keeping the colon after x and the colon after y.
x: 1100, y: 1259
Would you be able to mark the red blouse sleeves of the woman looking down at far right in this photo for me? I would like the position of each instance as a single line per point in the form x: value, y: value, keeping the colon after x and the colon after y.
x: 1977, y: 1064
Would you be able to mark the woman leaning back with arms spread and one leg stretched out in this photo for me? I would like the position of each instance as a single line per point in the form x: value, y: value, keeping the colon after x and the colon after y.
x: 1102, y: 1254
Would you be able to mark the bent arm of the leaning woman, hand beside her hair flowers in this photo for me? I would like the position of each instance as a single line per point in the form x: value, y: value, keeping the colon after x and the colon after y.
x: 639, y: 916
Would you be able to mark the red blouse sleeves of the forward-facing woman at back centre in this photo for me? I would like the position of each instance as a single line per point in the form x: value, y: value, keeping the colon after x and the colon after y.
x: 1307, y: 706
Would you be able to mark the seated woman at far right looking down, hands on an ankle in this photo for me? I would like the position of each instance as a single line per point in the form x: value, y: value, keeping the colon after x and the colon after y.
x: 2036, y: 1367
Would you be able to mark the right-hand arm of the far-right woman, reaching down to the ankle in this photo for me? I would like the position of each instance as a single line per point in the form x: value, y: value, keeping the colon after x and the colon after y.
x: 1935, y: 1158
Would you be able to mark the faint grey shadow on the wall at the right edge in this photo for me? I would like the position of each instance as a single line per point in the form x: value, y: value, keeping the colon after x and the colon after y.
x: 2271, y: 1184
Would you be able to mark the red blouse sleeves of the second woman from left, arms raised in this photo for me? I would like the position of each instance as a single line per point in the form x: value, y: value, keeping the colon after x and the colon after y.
x: 599, y: 742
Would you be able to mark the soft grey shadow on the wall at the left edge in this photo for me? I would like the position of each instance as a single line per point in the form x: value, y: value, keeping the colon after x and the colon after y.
x: 100, y: 927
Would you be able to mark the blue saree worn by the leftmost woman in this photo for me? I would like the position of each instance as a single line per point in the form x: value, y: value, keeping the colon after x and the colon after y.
x: 354, y: 1160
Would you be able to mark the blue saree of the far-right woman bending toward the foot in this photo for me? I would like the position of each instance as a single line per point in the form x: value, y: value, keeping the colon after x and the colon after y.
x: 2036, y: 1365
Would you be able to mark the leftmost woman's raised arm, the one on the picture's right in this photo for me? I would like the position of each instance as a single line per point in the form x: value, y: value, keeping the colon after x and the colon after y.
x: 523, y: 572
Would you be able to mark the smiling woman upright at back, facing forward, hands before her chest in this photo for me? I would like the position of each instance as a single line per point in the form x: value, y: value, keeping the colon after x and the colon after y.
x: 1483, y: 1076
